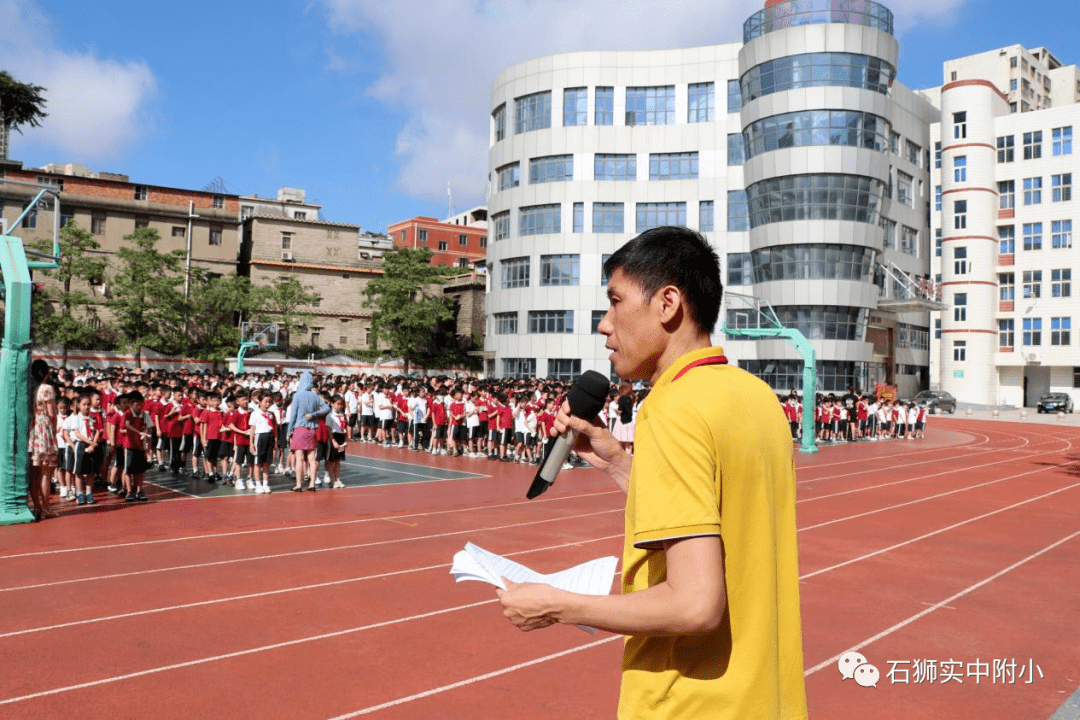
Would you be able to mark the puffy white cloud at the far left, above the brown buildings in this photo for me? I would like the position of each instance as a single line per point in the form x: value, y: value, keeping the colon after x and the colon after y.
x: 97, y: 106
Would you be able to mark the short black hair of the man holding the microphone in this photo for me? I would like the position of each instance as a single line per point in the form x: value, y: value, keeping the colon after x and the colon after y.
x: 674, y: 256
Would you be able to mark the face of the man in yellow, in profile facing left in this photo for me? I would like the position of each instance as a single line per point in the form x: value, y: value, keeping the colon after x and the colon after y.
x: 633, y: 329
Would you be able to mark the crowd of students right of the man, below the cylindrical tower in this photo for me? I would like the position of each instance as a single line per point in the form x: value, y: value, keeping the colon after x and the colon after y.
x: 858, y: 417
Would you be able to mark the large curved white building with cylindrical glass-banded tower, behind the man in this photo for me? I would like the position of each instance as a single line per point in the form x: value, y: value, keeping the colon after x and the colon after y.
x: 795, y: 153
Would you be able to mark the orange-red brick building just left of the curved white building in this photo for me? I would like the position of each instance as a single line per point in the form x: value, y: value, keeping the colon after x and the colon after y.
x: 461, y: 241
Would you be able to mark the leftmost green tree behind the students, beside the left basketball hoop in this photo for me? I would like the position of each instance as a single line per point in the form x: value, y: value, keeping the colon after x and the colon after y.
x: 74, y: 317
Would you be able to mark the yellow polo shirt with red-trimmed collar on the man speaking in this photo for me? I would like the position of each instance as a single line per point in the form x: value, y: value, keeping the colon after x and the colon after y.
x: 713, y: 456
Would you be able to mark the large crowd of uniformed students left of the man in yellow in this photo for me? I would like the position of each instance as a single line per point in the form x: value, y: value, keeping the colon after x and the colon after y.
x: 104, y: 431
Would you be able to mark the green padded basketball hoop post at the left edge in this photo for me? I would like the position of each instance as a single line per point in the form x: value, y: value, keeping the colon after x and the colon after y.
x: 15, y: 378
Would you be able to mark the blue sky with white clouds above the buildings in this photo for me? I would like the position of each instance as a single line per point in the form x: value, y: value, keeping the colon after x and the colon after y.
x: 371, y: 105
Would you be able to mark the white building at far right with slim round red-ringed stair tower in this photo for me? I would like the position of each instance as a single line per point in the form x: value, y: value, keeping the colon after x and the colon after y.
x: 1005, y: 218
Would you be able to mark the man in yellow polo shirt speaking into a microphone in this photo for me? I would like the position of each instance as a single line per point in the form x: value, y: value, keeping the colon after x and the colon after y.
x: 710, y: 597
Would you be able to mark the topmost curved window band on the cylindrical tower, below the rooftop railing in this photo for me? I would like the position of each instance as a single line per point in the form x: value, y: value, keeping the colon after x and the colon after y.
x: 817, y: 71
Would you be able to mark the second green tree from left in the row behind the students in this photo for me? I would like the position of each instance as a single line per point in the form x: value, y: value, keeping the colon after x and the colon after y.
x: 148, y: 308
